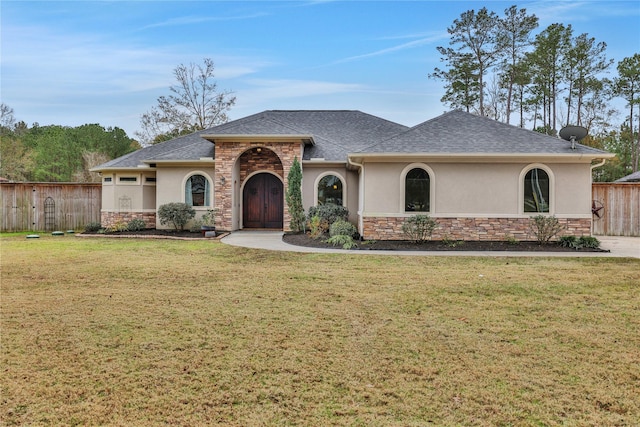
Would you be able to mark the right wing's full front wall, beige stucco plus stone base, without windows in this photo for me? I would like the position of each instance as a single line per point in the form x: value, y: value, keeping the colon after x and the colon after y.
x: 475, y: 201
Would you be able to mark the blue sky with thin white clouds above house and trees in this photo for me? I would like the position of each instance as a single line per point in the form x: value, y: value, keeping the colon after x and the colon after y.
x: 76, y: 62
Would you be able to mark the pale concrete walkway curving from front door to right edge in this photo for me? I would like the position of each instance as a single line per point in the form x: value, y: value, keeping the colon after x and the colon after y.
x: 272, y: 240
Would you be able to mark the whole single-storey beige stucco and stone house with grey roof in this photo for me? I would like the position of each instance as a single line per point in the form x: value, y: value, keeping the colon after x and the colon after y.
x: 479, y: 178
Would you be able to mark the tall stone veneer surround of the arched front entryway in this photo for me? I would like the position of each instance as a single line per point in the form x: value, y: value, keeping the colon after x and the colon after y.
x: 227, y: 153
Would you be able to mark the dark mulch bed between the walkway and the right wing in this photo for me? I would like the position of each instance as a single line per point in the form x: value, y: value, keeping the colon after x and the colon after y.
x: 437, y: 245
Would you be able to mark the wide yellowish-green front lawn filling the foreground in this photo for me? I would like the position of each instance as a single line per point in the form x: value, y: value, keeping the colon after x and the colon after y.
x: 146, y: 332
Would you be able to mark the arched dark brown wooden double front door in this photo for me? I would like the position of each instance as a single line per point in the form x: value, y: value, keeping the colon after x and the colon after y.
x: 263, y: 202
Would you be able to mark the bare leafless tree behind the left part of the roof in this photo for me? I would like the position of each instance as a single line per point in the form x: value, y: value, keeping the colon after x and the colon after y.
x: 195, y: 104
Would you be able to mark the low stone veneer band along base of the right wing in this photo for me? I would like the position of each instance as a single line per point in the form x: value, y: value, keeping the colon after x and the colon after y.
x: 390, y: 228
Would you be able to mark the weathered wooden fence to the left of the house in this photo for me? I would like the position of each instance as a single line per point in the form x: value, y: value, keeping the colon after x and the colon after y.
x: 49, y: 206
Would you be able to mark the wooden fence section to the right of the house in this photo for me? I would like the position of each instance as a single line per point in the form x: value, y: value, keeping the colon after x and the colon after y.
x: 621, y: 213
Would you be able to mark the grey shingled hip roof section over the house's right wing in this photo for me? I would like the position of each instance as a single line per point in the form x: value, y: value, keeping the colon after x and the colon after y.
x: 459, y: 133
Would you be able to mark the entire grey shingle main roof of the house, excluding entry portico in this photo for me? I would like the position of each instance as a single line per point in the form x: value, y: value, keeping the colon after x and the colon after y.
x: 337, y: 133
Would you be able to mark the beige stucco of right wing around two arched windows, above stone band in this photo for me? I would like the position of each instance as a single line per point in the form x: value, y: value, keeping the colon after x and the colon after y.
x: 476, y: 189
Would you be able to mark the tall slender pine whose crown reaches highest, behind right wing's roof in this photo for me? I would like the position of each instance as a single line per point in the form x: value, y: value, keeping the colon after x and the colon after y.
x: 514, y: 36
